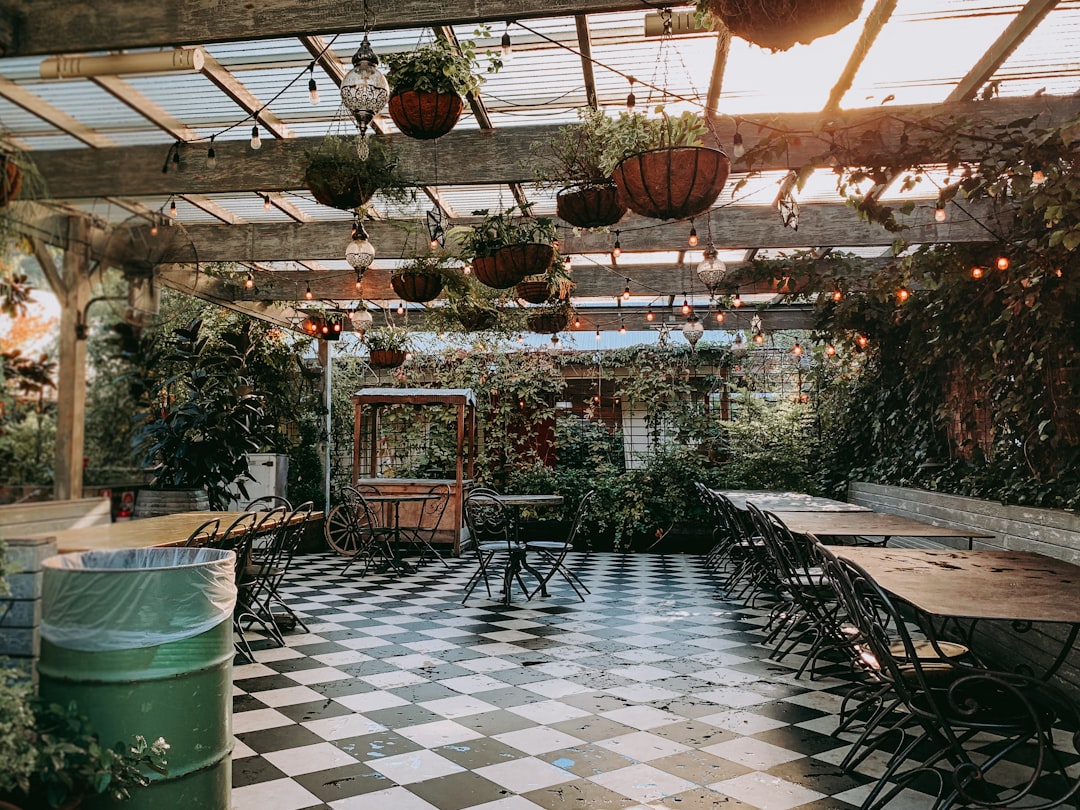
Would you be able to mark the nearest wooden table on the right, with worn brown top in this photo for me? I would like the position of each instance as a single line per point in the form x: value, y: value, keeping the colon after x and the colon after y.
x: 1017, y: 587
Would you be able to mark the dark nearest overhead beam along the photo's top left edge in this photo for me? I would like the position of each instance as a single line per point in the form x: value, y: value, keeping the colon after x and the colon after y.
x: 57, y: 28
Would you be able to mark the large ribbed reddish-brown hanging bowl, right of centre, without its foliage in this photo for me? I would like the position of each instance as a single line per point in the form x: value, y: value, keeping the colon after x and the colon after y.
x: 672, y: 184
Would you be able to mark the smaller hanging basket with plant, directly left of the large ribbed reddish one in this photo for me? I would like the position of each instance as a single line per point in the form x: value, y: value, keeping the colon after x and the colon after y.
x: 573, y: 160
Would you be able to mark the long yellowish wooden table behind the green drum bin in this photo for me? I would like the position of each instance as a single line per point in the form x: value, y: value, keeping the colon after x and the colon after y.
x: 163, y: 531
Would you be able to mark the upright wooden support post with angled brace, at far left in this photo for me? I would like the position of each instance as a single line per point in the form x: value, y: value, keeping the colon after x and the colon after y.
x: 73, y: 291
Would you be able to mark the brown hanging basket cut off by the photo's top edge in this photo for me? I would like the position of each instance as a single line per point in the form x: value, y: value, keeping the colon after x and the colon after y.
x: 780, y: 24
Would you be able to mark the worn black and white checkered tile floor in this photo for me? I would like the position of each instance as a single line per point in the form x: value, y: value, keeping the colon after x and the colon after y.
x: 654, y: 693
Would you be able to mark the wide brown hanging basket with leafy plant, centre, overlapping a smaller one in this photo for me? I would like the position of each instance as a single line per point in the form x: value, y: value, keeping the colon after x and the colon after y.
x: 507, y: 247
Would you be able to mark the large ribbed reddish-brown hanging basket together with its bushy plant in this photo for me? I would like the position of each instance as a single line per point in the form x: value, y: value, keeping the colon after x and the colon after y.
x: 661, y: 166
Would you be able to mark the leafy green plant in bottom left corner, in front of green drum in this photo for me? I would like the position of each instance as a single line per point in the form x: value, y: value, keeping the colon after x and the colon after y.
x: 52, y: 758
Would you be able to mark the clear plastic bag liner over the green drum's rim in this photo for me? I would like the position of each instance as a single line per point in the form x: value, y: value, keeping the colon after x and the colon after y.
x: 137, y: 598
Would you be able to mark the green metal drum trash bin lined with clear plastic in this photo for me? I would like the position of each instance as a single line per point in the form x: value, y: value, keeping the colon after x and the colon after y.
x: 142, y: 641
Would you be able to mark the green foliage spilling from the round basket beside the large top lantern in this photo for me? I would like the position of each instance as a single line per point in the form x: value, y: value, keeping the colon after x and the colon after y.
x: 440, y: 67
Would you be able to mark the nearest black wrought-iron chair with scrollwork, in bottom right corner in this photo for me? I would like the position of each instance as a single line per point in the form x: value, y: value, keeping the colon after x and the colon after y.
x: 956, y: 710
